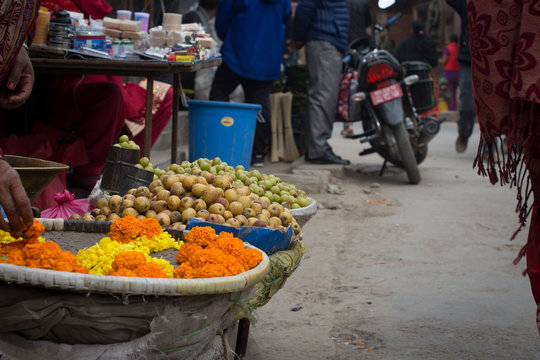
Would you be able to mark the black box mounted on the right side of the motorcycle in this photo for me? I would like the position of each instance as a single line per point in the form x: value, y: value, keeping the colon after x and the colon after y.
x: 423, y: 91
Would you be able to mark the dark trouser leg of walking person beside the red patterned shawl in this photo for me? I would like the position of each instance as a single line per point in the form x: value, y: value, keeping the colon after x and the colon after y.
x: 467, y: 112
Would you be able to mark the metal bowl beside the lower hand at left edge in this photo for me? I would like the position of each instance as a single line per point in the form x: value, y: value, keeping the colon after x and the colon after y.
x: 35, y: 174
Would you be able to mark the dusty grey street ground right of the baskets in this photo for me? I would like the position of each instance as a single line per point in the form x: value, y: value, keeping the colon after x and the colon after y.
x: 405, y: 272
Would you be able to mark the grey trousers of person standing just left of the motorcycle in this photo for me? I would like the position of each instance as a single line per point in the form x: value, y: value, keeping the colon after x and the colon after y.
x: 324, y: 67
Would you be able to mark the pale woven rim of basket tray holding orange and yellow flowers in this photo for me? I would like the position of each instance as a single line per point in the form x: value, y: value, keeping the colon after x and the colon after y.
x: 88, y: 283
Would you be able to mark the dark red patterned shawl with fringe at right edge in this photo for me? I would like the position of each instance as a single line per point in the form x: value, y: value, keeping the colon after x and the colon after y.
x: 505, y: 48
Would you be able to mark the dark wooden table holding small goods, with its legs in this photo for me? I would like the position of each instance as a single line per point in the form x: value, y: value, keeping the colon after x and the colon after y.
x: 45, y: 62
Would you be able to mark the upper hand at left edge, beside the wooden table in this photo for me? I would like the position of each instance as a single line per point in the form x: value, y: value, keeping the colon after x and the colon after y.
x: 18, y: 83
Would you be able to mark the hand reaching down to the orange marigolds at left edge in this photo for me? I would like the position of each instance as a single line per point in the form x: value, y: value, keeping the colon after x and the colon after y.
x: 14, y: 200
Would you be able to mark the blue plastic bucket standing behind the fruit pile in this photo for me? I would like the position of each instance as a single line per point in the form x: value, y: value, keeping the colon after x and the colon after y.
x: 222, y: 129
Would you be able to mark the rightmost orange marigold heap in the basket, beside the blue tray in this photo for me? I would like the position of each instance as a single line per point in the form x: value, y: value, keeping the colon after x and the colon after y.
x: 205, y: 255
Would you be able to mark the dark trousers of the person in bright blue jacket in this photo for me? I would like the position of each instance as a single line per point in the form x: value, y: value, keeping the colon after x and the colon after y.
x: 255, y: 92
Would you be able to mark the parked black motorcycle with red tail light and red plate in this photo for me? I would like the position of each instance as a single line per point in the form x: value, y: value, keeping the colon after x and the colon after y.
x: 393, y: 100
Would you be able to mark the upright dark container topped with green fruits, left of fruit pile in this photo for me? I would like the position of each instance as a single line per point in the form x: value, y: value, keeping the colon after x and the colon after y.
x: 119, y: 162
